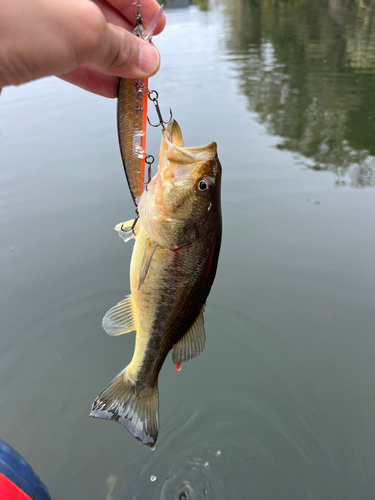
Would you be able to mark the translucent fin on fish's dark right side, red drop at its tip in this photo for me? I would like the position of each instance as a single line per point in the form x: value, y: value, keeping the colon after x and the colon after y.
x: 191, y: 344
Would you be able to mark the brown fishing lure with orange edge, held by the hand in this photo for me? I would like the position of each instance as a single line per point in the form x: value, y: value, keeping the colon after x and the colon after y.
x: 132, y: 117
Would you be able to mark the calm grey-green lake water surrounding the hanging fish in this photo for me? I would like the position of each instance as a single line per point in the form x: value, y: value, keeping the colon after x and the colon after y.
x: 281, y: 403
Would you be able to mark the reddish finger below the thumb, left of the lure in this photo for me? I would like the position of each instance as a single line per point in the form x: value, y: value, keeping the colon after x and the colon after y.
x: 90, y: 79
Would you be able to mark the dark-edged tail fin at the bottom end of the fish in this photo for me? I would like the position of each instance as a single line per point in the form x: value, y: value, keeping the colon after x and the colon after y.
x: 136, y: 410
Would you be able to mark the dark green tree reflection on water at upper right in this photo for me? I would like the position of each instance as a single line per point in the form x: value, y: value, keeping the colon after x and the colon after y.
x: 307, y: 69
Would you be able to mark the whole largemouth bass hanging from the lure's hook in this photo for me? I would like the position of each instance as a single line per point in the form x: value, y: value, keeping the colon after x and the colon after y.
x: 173, y: 266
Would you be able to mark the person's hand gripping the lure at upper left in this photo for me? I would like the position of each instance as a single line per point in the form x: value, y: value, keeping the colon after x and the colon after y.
x: 85, y: 43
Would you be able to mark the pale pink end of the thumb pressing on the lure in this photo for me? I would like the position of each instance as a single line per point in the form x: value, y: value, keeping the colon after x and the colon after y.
x: 120, y: 53
